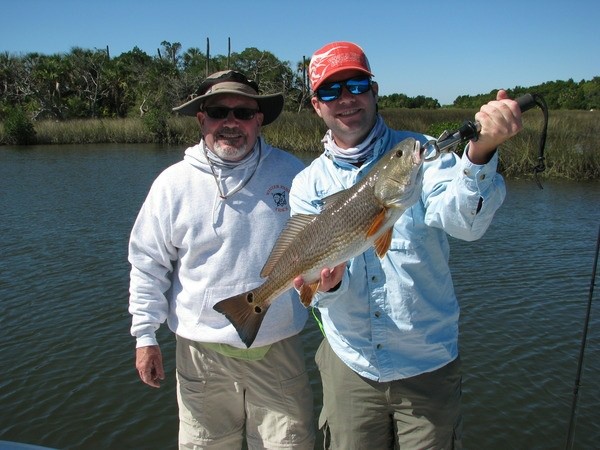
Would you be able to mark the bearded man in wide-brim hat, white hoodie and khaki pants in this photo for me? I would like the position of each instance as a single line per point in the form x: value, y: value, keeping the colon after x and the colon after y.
x: 203, y: 233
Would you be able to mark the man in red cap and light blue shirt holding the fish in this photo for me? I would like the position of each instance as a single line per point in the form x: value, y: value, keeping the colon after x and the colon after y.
x: 389, y: 364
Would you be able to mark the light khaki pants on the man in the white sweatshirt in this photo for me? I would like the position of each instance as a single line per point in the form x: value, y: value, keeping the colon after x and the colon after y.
x: 221, y: 397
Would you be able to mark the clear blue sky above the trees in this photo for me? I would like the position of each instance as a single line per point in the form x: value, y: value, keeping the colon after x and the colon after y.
x: 436, y: 48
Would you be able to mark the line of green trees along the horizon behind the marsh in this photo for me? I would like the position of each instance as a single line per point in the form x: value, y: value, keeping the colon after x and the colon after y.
x: 90, y: 84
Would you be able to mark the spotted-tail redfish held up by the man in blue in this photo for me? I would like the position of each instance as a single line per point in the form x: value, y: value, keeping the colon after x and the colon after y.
x: 350, y: 222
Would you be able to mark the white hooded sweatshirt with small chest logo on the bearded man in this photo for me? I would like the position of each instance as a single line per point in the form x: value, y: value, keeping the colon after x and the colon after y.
x: 190, y: 248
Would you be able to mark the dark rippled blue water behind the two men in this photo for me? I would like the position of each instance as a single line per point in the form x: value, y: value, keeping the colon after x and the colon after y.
x: 67, y: 376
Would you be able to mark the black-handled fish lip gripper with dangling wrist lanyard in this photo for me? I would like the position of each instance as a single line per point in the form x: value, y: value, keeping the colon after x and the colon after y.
x: 470, y: 131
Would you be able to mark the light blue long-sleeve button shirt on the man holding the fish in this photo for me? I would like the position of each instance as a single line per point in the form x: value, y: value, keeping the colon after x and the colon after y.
x: 397, y: 317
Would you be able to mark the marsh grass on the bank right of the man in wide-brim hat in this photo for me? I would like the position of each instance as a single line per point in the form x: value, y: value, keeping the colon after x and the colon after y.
x: 572, y: 149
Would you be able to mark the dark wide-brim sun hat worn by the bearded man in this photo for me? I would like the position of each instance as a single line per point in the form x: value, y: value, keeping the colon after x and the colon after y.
x: 233, y: 82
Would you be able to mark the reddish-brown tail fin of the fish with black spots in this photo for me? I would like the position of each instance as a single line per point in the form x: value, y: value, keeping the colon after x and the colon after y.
x: 245, y: 315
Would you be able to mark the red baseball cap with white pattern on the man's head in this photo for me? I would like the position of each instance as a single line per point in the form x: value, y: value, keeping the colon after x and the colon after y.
x: 334, y: 58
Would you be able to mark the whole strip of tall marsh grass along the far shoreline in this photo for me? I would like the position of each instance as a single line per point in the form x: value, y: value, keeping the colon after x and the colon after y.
x: 572, y: 146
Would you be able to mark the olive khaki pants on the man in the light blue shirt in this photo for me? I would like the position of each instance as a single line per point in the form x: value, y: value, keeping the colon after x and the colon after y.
x: 421, y: 412
